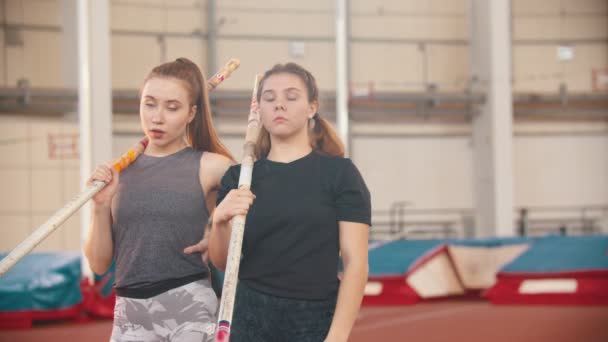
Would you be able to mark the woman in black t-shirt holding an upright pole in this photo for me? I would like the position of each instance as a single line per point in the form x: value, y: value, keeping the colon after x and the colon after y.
x: 310, y: 206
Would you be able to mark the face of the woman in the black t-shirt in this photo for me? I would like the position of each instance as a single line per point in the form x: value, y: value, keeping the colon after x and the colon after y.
x: 284, y: 105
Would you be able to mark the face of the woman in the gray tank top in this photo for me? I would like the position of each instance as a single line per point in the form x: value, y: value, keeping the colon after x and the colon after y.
x: 165, y: 111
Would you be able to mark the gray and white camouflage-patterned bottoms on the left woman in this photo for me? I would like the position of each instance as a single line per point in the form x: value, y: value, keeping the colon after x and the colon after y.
x: 187, y: 313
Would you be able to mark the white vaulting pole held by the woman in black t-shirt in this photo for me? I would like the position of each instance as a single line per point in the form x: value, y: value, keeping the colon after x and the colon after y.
x: 231, y: 276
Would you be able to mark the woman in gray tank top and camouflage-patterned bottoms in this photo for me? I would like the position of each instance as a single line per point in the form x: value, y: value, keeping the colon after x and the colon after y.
x: 151, y: 219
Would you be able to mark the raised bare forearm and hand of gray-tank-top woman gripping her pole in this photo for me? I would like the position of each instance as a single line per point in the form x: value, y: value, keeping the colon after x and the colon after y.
x: 98, y: 246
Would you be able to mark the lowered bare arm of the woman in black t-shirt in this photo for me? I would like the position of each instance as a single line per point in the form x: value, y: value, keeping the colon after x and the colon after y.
x: 353, y: 246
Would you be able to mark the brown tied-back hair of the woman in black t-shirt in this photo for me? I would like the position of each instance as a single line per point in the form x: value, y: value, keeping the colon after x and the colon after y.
x: 322, y: 136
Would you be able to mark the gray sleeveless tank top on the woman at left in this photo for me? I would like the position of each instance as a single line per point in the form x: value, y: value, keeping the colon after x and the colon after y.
x: 158, y: 210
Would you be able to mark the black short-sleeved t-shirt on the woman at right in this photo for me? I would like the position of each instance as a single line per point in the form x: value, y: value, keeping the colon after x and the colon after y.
x: 291, y: 241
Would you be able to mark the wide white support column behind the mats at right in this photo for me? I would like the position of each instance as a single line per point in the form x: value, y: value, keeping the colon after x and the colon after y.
x: 490, y: 39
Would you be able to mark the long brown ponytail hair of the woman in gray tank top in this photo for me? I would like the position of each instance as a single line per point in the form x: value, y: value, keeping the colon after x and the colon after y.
x: 201, y: 134
